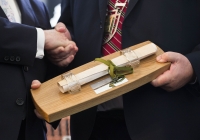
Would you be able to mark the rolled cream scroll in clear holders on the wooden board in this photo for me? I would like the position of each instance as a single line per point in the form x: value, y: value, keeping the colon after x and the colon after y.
x: 72, y: 83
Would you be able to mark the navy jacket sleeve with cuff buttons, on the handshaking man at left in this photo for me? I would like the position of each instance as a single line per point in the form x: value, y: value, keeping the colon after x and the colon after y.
x: 18, y: 43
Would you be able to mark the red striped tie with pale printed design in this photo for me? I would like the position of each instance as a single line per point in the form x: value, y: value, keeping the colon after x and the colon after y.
x: 113, y: 26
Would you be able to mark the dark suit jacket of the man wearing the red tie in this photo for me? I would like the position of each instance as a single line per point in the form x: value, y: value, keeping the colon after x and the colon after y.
x: 151, y: 113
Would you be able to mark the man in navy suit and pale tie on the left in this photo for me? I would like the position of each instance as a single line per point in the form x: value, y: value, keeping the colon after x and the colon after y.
x: 23, y: 40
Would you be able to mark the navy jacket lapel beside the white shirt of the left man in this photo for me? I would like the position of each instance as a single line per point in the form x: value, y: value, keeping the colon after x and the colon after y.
x: 26, y: 12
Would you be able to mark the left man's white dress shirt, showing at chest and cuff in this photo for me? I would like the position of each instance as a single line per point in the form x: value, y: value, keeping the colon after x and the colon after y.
x: 40, y: 33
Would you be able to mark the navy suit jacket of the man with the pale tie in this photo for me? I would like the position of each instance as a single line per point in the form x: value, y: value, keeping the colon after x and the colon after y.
x: 18, y: 67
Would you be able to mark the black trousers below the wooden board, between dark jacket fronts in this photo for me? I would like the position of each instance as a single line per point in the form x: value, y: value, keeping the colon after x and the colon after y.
x: 110, y: 125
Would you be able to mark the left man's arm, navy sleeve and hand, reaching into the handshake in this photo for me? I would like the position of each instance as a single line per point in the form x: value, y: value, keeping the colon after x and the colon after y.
x: 19, y: 44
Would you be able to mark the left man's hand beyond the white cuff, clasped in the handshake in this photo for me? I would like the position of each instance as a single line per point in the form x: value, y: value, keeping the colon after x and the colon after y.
x: 60, y: 50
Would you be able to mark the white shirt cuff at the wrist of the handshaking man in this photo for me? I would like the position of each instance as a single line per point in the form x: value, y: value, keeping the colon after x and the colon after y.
x: 40, y: 43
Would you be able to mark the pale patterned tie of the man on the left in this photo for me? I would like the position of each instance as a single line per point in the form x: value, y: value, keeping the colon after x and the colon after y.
x: 7, y: 10
